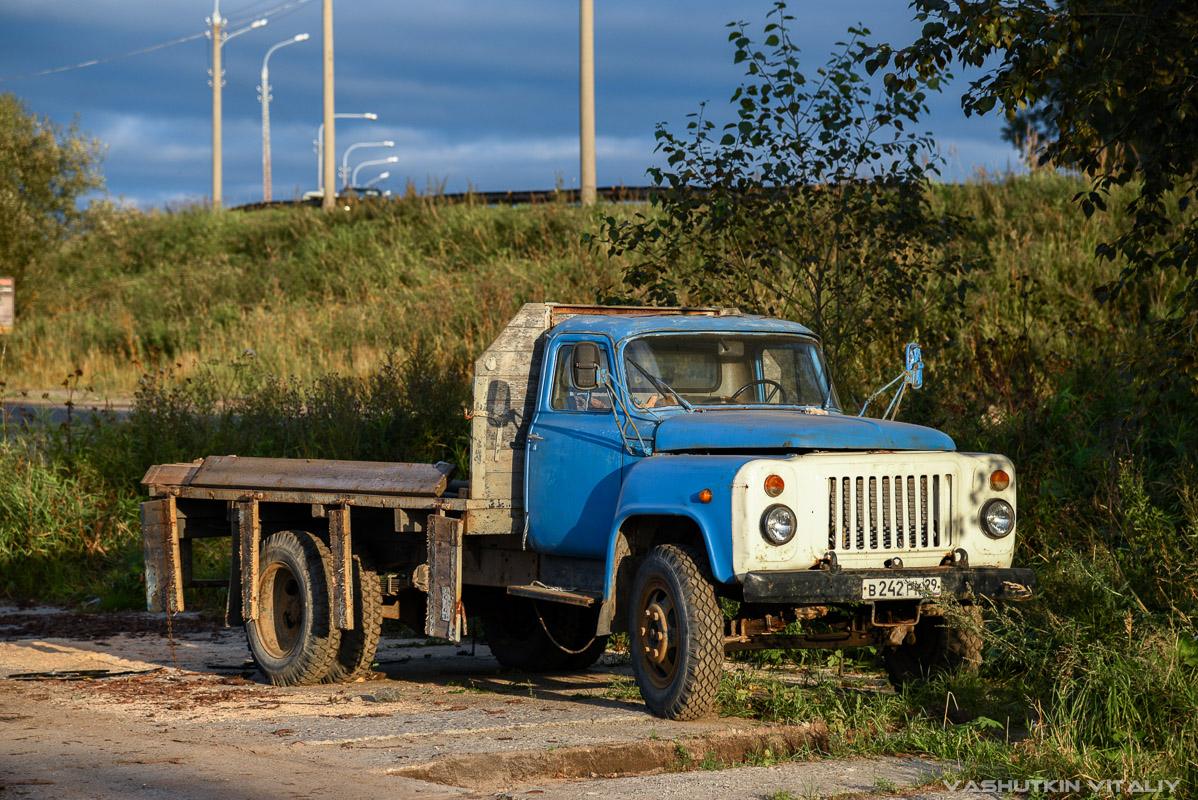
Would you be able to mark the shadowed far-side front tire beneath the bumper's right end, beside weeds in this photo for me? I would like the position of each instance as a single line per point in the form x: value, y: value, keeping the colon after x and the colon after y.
x: 940, y: 647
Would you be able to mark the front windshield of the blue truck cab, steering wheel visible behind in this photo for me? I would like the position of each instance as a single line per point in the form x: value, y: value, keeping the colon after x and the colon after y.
x: 728, y: 369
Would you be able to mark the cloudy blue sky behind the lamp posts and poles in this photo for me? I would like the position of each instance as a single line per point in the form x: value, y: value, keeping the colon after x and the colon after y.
x: 474, y: 94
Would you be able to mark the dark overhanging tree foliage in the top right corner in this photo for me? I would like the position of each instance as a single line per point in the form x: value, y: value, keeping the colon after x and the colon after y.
x: 1115, y: 84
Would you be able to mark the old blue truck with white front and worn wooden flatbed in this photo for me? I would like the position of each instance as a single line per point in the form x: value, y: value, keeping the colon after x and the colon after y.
x: 686, y: 476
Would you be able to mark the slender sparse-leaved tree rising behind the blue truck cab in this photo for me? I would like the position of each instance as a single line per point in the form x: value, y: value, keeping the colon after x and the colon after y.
x: 812, y: 207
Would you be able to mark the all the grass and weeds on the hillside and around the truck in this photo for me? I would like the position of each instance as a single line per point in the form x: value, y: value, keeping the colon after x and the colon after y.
x: 352, y: 336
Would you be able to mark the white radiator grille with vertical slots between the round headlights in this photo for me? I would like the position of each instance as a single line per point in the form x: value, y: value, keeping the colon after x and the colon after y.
x: 890, y: 513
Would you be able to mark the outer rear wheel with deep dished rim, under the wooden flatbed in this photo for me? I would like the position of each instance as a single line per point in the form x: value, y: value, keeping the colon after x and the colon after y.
x: 294, y: 641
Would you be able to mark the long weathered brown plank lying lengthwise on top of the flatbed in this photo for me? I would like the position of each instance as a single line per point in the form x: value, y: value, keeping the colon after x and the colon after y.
x: 323, y: 476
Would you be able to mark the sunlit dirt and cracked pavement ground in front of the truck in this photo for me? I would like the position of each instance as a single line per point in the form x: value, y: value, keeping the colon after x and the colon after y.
x: 134, y: 706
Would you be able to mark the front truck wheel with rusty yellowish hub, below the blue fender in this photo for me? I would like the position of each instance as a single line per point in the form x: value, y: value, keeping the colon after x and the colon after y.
x: 676, y: 634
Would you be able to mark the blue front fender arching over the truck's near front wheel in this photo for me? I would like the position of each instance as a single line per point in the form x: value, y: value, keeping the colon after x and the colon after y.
x: 669, y: 486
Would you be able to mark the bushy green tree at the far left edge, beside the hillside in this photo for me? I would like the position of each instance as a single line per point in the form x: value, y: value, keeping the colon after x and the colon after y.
x: 45, y: 169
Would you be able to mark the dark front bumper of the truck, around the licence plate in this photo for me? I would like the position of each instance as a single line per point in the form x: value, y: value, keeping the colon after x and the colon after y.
x: 845, y: 586
